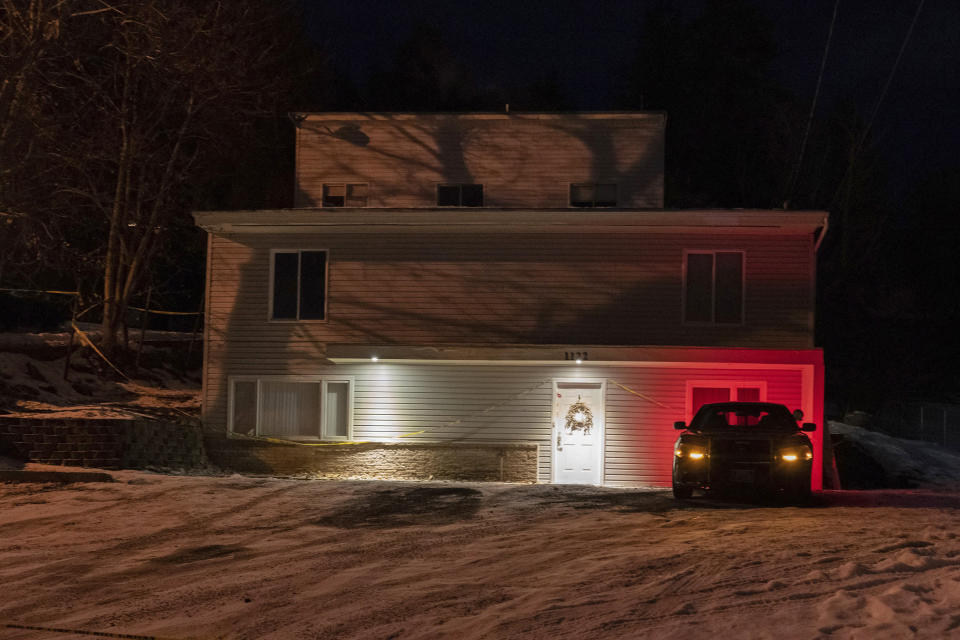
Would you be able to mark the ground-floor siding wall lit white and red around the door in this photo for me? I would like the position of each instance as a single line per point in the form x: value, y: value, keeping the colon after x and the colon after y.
x: 489, y: 403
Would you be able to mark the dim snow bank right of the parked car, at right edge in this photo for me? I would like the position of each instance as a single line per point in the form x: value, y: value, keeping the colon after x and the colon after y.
x: 904, y: 463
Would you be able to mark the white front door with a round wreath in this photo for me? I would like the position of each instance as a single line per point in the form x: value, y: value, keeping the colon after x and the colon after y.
x: 578, y: 421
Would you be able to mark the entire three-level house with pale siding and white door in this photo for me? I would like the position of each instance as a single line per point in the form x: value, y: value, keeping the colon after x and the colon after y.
x: 502, y: 279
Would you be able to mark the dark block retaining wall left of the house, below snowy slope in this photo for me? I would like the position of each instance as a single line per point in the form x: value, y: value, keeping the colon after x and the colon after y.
x: 103, y: 443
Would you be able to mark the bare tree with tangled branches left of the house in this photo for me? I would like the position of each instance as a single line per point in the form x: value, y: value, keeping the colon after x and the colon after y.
x: 125, y: 108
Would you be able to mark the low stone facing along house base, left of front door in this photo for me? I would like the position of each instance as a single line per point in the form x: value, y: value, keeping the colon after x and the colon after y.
x: 394, y: 461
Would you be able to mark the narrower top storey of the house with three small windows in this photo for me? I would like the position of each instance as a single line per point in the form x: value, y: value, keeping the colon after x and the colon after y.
x: 496, y: 160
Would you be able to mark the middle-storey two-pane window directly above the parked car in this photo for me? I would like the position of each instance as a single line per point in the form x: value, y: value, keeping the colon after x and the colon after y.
x: 713, y: 287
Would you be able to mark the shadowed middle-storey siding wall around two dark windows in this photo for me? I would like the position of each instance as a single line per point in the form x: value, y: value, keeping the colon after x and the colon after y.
x: 466, y: 288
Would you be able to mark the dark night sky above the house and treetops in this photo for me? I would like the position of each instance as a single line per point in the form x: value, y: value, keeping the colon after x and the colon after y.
x: 588, y: 45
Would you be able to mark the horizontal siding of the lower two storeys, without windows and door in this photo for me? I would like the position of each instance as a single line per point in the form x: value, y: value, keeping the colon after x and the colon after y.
x: 445, y: 288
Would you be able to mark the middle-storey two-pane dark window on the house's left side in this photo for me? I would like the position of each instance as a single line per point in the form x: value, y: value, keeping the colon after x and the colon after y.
x: 298, y: 285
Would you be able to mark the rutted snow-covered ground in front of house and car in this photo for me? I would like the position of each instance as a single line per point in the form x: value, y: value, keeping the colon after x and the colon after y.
x: 243, y: 557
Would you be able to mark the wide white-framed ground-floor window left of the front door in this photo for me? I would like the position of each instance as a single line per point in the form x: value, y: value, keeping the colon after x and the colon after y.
x: 293, y: 407
